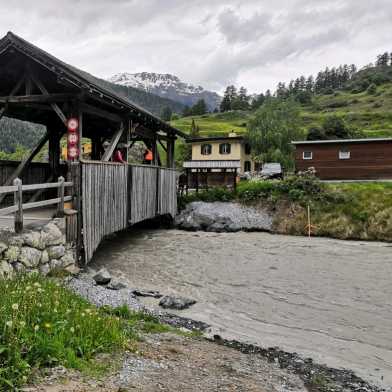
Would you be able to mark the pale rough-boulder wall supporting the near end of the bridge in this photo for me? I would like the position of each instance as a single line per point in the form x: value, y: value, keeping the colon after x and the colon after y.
x: 41, y: 249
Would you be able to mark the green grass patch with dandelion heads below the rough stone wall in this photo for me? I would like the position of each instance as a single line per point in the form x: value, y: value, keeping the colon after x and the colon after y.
x: 43, y: 324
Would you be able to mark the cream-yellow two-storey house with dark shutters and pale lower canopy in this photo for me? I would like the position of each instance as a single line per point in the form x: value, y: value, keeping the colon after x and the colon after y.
x: 217, y: 161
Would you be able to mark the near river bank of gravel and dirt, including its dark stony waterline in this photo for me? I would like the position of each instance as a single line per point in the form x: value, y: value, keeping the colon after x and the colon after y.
x: 212, y: 363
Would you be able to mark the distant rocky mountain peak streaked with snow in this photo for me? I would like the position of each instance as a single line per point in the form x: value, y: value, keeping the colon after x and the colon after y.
x: 167, y: 86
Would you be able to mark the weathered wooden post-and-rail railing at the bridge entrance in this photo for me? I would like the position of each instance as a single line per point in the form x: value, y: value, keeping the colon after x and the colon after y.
x: 18, y: 188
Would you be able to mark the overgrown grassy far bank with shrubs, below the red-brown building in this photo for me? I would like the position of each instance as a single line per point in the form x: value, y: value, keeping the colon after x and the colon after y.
x: 341, y: 210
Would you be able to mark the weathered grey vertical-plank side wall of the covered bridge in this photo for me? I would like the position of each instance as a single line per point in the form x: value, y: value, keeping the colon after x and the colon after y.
x: 115, y: 196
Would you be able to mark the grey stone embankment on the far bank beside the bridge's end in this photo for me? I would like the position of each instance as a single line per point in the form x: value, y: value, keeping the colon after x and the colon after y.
x: 223, y: 217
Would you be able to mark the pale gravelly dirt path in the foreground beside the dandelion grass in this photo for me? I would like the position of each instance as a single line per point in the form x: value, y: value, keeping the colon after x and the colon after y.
x: 170, y: 362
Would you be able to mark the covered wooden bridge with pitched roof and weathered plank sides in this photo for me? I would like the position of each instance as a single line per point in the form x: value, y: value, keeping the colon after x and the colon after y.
x: 108, y: 196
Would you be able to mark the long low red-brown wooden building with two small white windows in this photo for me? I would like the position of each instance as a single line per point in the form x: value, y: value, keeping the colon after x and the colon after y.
x: 348, y: 159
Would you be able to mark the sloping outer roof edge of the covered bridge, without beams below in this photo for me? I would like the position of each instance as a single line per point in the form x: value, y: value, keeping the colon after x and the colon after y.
x: 88, y: 83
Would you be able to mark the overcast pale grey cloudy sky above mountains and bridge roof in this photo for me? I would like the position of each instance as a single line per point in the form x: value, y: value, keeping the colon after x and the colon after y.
x: 255, y: 43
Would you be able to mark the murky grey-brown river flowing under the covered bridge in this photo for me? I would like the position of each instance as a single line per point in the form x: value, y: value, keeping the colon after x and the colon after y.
x: 327, y: 299
